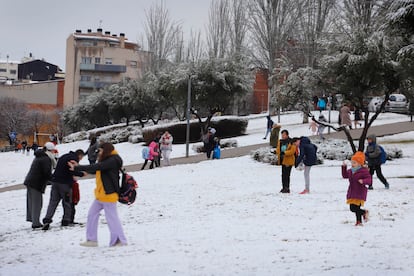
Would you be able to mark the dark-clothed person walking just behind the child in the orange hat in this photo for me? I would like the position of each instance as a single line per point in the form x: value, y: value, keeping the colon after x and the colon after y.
x: 373, y: 155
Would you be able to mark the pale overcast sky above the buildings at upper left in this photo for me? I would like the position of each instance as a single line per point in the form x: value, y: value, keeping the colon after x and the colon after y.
x: 42, y: 27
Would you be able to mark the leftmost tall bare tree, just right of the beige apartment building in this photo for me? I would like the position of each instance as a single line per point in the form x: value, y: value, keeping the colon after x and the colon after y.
x: 161, y: 34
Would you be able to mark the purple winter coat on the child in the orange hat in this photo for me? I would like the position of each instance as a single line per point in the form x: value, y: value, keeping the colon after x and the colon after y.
x: 357, y: 190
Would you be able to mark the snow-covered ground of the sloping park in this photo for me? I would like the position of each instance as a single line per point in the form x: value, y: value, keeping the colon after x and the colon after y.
x: 223, y: 217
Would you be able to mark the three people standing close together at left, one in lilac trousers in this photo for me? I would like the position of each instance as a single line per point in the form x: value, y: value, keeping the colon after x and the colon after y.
x: 61, y: 175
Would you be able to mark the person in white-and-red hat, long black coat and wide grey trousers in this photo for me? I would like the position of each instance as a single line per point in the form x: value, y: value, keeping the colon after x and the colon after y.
x: 36, y: 181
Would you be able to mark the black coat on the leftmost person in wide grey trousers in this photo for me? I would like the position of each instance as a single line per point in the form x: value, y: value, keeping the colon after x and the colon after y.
x: 40, y: 172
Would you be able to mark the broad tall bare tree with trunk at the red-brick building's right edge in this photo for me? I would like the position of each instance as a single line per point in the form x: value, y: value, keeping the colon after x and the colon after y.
x: 271, y: 24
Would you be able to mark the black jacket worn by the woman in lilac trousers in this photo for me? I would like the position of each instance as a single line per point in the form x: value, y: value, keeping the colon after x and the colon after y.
x: 109, y: 172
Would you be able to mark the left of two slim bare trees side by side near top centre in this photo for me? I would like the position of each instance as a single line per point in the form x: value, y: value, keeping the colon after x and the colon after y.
x: 218, y: 28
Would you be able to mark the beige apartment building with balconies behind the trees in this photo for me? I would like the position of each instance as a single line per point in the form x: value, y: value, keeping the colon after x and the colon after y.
x: 96, y: 59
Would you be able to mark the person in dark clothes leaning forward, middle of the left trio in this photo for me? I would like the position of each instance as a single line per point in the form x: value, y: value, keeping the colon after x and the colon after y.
x: 62, y: 181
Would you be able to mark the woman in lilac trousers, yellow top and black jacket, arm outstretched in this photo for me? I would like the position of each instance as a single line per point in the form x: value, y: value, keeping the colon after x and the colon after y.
x: 106, y: 196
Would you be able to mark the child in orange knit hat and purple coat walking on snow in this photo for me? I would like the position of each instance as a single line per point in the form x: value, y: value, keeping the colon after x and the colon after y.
x: 359, y: 178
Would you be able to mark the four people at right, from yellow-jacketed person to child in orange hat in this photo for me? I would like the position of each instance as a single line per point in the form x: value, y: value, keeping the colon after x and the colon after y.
x: 292, y: 152
